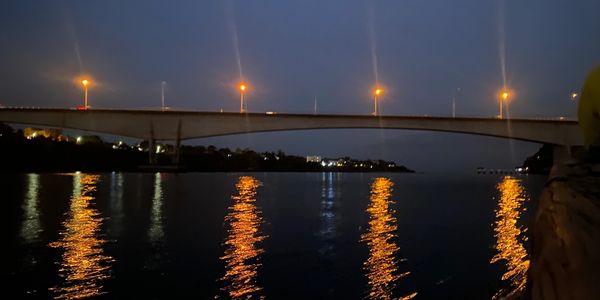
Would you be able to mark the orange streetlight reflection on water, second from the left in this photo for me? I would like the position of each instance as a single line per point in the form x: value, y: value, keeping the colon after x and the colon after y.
x: 242, y: 253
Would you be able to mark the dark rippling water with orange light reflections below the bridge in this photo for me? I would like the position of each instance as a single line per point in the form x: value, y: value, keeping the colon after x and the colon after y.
x: 271, y: 235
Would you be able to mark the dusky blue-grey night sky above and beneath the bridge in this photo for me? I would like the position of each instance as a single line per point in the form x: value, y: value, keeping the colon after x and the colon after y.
x: 292, y: 51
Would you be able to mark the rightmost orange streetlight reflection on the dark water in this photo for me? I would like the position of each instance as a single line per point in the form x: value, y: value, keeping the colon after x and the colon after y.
x: 509, y: 236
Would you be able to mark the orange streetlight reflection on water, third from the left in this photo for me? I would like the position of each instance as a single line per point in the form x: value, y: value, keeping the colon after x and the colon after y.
x: 382, y: 264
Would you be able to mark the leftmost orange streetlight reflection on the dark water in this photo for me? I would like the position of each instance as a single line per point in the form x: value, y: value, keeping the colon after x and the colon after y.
x: 84, y: 265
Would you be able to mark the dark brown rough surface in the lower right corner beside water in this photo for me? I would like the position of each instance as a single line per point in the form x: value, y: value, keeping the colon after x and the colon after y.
x: 566, y: 239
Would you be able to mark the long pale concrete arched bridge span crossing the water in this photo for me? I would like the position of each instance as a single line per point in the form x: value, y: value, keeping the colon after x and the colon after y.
x: 181, y: 125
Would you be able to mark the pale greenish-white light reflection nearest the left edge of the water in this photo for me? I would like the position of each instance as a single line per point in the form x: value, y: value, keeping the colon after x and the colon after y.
x: 31, y: 228
